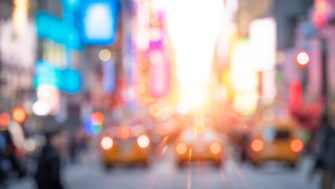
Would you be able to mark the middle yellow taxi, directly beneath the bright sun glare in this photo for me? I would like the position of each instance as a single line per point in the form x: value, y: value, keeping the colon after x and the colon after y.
x: 195, y: 144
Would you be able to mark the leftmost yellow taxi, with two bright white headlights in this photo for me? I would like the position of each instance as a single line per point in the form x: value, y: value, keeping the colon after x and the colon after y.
x: 125, y: 145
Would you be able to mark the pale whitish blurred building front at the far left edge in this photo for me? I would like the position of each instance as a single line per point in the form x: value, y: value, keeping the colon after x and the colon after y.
x: 17, y: 54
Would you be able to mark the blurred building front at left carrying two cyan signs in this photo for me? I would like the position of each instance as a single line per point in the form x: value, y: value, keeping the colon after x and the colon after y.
x: 57, y: 77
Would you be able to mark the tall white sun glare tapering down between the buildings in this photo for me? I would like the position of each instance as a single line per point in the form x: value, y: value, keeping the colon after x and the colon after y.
x: 193, y: 38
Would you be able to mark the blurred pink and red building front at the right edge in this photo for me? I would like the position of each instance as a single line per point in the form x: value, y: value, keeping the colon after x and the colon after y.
x: 311, y: 85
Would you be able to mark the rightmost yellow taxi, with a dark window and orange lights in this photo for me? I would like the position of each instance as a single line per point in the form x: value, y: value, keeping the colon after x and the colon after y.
x: 276, y: 141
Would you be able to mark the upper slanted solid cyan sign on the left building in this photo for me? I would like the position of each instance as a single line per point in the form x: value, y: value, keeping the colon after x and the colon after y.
x: 52, y: 28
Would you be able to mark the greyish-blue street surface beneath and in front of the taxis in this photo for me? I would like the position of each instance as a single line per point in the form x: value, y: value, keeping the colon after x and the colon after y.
x: 164, y: 174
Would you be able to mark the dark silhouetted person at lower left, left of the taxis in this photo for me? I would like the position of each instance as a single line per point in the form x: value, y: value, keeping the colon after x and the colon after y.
x: 48, y: 174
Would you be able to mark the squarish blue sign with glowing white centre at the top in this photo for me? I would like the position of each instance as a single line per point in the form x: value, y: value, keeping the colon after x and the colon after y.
x: 99, y: 21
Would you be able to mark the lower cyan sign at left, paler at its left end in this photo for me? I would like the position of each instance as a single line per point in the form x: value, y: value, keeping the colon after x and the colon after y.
x: 67, y: 79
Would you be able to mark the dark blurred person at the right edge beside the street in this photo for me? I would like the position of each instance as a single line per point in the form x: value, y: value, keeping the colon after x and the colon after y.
x: 325, y: 154
